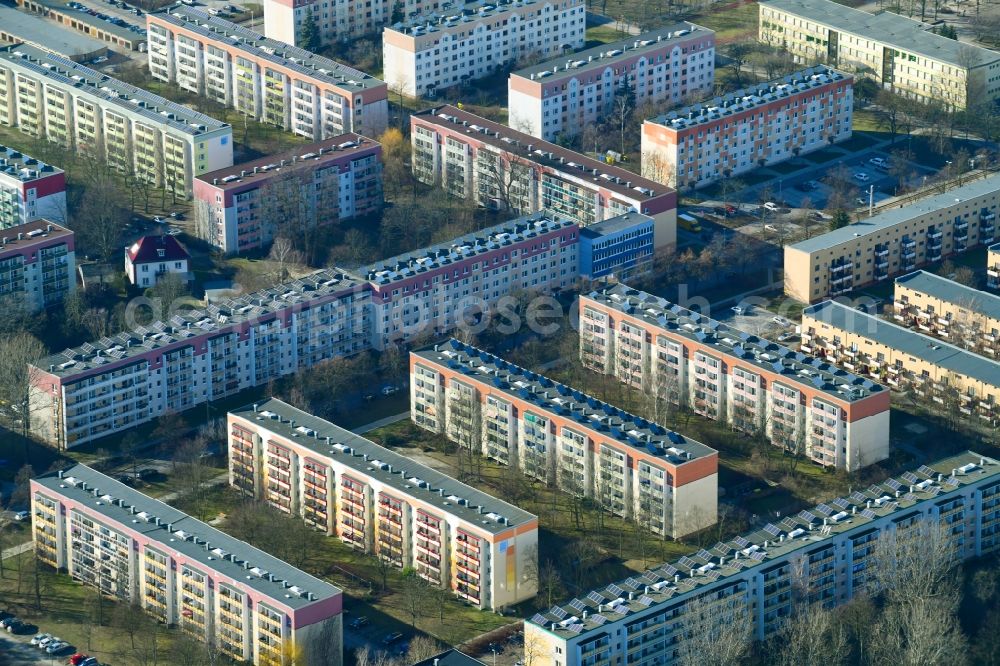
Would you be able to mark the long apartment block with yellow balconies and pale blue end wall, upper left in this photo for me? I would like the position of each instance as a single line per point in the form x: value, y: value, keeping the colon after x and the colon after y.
x: 163, y: 142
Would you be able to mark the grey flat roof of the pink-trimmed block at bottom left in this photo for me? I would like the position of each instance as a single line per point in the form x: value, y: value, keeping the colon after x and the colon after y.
x: 177, y: 532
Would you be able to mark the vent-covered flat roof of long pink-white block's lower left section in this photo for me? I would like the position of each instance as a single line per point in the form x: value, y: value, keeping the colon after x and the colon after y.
x: 194, y: 323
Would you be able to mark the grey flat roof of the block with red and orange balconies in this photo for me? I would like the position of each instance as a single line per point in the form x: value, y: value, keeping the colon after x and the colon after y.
x: 392, y: 469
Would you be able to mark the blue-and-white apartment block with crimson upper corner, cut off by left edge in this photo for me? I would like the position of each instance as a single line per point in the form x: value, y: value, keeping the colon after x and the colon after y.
x: 29, y: 189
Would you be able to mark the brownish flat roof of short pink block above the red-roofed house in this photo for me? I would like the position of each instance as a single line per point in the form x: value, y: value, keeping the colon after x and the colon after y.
x: 294, y: 159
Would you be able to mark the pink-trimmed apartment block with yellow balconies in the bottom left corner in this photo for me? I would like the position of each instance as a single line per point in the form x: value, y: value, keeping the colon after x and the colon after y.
x: 220, y: 590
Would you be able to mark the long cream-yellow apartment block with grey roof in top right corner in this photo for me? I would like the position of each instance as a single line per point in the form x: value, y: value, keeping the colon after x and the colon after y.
x: 901, y: 54
